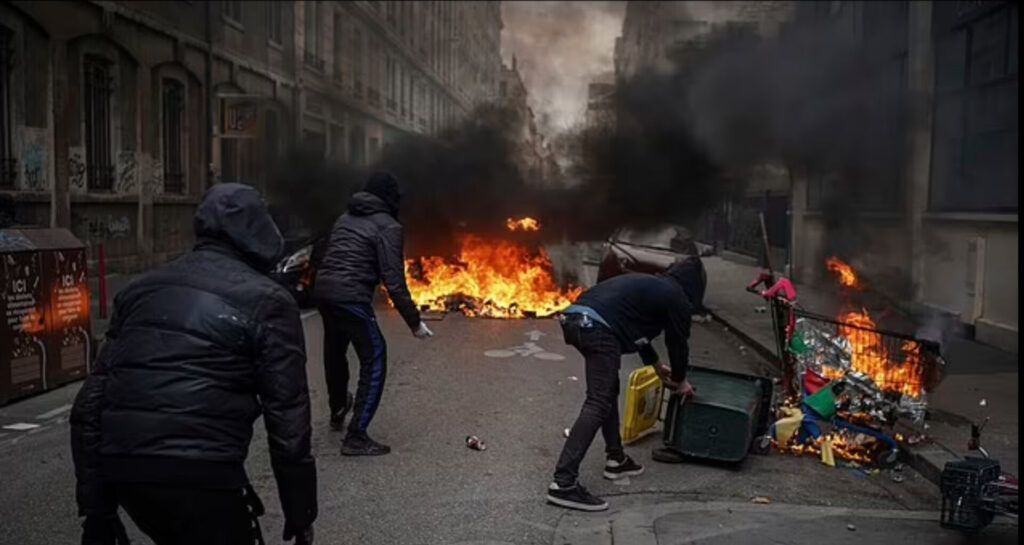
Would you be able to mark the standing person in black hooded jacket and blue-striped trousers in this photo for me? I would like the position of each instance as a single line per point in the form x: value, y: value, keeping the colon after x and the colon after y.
x: 365, y: 248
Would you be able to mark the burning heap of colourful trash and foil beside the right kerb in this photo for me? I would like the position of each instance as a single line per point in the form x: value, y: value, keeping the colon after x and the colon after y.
x: 856, y: 383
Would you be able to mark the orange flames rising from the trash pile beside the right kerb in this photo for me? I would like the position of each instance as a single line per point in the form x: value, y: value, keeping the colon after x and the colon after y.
x: 895, y: 369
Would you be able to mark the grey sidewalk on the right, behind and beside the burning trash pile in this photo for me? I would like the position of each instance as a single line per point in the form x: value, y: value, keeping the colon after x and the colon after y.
x: 982, y: 381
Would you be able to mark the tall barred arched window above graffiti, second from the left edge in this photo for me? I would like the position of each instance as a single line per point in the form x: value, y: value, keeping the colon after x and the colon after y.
x: 99, y: 89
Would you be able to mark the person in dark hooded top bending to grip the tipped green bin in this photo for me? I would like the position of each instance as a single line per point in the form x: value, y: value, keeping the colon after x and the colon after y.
x: 622, y: 315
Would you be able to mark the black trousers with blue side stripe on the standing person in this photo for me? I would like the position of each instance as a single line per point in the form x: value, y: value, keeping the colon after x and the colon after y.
x: 356, y: 325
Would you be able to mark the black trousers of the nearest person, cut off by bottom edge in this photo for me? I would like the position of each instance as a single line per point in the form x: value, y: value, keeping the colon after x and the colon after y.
x: 176, y: 516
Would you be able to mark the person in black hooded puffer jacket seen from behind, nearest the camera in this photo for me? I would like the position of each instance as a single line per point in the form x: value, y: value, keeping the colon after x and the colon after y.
x: 196, y: 352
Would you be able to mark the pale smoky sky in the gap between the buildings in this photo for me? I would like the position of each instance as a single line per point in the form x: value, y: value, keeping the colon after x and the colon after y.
x: 561, y: 48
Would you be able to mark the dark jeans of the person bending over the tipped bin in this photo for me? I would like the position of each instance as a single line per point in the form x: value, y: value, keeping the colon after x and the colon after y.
x: 601, y: 410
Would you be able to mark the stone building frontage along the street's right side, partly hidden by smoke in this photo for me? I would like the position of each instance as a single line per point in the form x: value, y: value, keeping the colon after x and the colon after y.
x: 946, y: 222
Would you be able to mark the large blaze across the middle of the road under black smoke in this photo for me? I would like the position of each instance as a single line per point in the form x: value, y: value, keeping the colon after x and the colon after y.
x: 491, y: 278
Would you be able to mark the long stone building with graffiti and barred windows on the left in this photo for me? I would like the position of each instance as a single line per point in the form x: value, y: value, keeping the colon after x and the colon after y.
x: 115, y: 117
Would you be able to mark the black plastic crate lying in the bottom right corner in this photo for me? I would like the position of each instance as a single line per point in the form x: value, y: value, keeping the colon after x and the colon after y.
x: 962, y: 486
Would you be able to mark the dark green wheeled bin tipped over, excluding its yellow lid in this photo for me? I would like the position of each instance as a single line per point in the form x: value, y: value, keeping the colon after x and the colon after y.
x: 721, y: 422
